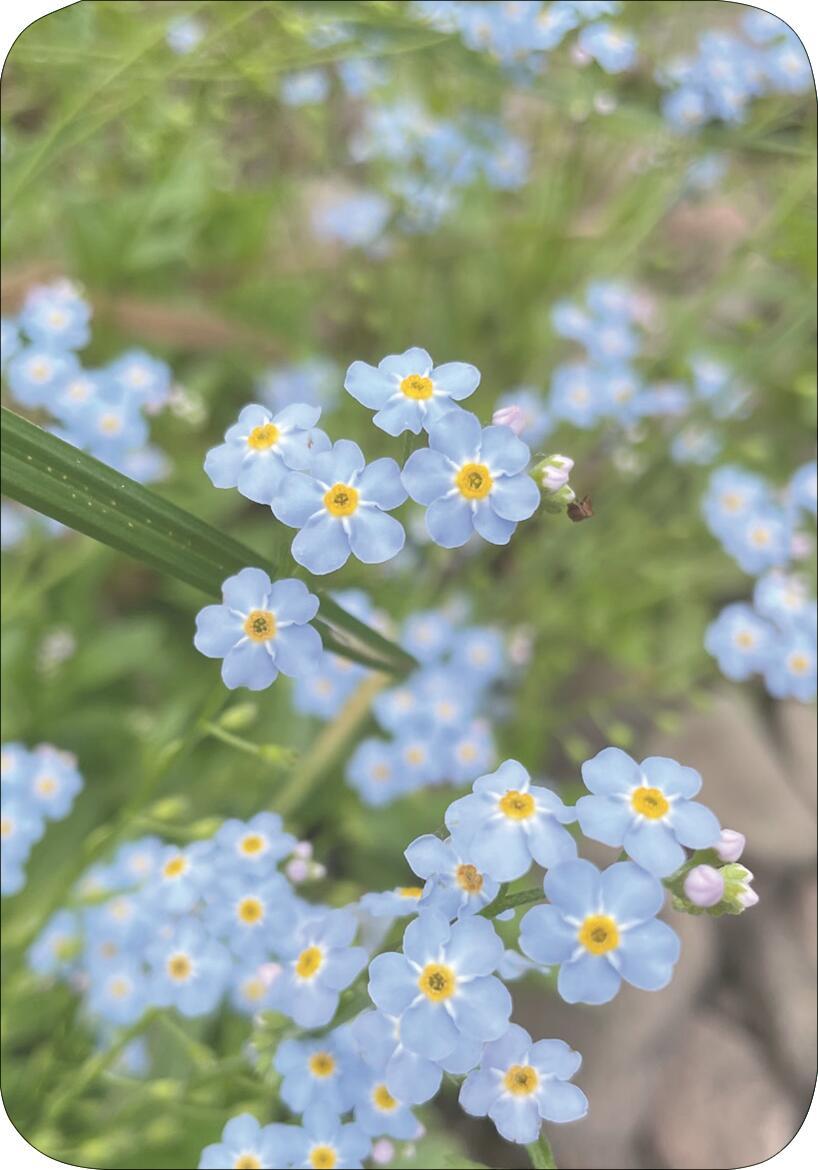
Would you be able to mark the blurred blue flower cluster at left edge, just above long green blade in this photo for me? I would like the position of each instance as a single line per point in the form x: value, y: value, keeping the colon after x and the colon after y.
x: 104, y: 411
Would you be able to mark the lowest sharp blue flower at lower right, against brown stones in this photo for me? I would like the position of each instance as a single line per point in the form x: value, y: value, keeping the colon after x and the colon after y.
x: 520, y: 1085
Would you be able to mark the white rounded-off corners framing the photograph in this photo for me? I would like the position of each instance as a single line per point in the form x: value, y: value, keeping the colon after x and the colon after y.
x: 802, y: 16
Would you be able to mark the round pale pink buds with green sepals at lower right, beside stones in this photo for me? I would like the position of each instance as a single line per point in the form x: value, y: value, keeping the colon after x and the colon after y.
x: 705, y: 887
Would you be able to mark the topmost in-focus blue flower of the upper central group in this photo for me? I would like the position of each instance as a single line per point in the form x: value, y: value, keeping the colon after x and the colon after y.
x: 408, y: 391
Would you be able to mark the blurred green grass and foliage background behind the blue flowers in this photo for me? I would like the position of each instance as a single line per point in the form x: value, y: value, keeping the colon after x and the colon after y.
x: 176, y: 190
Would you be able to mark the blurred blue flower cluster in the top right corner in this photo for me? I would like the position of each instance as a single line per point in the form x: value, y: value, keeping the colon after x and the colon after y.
x: 730, y: 72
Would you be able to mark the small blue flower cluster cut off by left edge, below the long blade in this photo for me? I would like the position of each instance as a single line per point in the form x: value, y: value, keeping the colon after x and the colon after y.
x: 37, y: 786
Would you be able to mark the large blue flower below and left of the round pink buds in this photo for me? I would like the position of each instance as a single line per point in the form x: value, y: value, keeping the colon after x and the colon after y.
x: 601, y: 928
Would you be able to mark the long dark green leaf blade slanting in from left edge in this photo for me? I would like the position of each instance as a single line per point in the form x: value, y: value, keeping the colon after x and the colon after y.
x: 77, y: 490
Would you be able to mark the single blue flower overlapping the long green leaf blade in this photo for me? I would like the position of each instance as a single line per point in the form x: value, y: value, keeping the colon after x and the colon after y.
x: 262, y: 629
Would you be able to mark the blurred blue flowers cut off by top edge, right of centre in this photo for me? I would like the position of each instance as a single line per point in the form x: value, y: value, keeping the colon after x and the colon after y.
x: 526, y: 33
